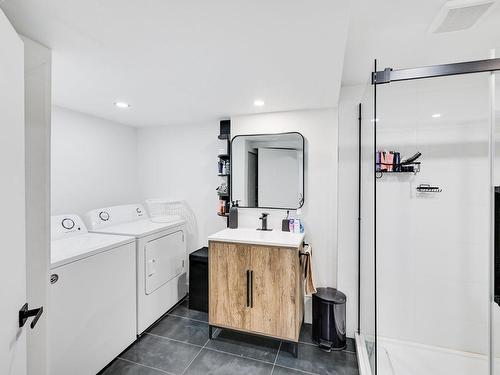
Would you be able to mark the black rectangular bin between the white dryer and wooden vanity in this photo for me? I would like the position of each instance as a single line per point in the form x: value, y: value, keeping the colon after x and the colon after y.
x: 198, y: 280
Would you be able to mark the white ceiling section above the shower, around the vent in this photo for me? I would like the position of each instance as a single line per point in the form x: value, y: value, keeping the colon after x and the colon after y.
x: 396, y: 33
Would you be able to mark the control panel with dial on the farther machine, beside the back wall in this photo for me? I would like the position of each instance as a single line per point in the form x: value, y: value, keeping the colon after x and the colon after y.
x: 107, y: 216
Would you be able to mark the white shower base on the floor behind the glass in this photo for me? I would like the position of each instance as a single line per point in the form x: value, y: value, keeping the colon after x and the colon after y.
x: 406, y: 358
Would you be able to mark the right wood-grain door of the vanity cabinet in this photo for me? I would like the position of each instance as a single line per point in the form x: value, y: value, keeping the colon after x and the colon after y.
x: 275, y: 308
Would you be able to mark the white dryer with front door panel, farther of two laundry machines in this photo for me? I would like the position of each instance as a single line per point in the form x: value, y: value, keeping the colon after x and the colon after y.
x: 161, y: 257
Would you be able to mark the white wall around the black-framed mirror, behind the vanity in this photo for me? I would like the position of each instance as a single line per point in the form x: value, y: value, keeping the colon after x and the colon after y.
x: 319, y: 128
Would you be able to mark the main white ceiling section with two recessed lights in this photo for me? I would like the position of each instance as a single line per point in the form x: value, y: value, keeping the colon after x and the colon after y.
x: 185, y: 61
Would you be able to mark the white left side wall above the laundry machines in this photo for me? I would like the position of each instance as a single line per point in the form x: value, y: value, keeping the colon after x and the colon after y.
x: 94, y: 163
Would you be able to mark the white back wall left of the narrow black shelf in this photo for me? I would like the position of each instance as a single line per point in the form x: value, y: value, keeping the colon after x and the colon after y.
x: 180, y: 163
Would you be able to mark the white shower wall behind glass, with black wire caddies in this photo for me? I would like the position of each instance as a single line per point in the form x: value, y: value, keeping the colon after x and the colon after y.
x: 433, y: 249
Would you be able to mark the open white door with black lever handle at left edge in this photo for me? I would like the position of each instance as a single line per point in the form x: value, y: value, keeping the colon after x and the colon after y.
x: 12, y: 193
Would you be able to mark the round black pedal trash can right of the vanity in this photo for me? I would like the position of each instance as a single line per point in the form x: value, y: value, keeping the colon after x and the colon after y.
x: 329, y: 322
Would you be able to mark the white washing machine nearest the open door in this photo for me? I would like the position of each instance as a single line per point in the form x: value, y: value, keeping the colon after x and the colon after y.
x: 92, y: 297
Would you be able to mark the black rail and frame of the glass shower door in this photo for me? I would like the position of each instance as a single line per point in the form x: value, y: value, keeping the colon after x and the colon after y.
x: 386, y: 76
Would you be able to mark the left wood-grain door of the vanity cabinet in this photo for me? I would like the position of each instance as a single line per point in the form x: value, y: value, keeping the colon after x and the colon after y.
x: 229, y: 269
